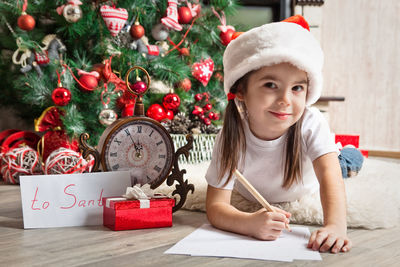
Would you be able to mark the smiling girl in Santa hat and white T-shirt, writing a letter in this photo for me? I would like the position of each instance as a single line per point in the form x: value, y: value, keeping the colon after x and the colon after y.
x: 272, y: 74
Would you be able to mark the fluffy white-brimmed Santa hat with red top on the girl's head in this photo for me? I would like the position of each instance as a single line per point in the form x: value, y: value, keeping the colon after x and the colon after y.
x: 286, y: 41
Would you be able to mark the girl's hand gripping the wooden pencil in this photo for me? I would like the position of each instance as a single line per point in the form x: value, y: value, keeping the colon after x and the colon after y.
x: 268, y: 225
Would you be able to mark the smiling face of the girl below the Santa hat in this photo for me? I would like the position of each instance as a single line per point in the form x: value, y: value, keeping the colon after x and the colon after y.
x: 275, y: 99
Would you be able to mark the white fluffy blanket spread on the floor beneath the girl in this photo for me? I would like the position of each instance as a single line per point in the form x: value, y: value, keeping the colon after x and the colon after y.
x: 373, y: 197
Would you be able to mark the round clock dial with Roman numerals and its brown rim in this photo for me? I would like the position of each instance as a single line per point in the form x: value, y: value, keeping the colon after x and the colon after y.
x: 142, y: 146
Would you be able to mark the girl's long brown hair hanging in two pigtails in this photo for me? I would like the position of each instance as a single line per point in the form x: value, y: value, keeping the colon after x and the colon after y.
x: 233, y: 141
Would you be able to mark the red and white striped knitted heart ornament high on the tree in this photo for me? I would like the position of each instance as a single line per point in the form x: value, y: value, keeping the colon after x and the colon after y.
x: 114, y: 18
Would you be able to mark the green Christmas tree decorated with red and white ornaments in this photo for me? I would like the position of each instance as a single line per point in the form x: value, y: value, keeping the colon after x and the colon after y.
x: 64, y: 62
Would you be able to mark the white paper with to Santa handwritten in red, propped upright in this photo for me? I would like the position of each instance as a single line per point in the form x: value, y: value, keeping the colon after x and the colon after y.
x: 69, y: 199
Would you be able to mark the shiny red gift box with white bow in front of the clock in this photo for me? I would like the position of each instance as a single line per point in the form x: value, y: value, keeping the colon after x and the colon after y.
x: 126, y: 214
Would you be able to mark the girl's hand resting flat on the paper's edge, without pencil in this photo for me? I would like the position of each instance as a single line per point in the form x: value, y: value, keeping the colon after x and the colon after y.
x: 329, y: 238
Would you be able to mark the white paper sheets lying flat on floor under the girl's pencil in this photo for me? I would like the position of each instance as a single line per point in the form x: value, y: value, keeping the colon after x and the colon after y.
x: 209, y: 241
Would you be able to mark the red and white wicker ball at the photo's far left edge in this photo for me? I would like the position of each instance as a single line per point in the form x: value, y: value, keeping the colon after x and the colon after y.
x: 19, y: 161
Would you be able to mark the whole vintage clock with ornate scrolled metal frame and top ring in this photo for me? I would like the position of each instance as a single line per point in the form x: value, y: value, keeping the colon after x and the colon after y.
x: 141, y: 145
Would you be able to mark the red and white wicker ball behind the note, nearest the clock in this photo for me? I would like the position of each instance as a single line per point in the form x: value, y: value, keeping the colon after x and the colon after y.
x: 67, y: 161
